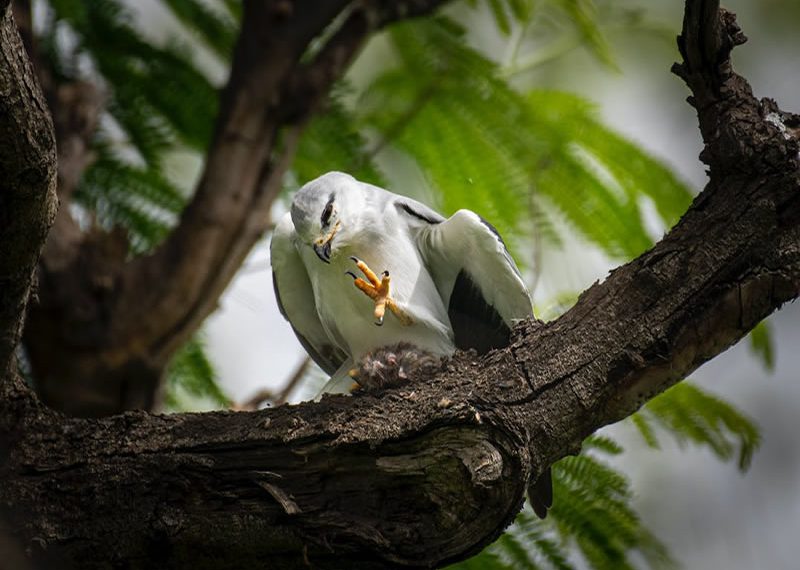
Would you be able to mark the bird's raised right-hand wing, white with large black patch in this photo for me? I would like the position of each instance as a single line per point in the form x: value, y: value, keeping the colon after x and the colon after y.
x: 476, y: 278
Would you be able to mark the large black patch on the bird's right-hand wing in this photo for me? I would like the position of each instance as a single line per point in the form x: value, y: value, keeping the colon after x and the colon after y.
x: 476, y: 324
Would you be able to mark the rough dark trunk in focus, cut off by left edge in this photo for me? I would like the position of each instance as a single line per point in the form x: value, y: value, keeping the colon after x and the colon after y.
x: 27, y: 182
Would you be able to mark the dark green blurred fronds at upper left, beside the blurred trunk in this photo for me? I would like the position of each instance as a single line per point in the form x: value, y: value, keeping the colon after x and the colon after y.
x: 158, y: 102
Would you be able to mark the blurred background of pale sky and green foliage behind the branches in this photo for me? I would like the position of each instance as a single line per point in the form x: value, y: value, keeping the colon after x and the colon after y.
x: 561, y: 123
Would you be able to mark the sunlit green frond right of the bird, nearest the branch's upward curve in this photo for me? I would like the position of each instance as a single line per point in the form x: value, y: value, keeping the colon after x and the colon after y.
x: 596, y: 178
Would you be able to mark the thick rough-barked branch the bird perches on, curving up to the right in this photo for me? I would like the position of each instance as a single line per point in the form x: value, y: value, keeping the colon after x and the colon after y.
x: 426, y: 474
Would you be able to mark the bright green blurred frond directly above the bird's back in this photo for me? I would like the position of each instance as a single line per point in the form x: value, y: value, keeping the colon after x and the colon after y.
x: 453, y: 119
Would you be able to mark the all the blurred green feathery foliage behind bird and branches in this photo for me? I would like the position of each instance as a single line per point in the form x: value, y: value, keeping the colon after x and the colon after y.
x: 521, y: 158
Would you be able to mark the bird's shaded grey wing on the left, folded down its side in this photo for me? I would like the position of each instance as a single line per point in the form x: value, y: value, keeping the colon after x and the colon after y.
x: 296, y: 298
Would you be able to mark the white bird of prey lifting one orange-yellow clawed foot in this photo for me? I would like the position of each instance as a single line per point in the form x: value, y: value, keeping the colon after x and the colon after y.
x: 446, y: 283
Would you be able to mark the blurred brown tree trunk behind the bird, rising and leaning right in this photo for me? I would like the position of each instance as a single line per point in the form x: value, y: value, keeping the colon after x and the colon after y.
x: 106, y: 326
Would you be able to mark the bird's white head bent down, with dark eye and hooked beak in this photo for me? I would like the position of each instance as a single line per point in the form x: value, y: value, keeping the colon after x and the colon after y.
x: 323, y: 212
